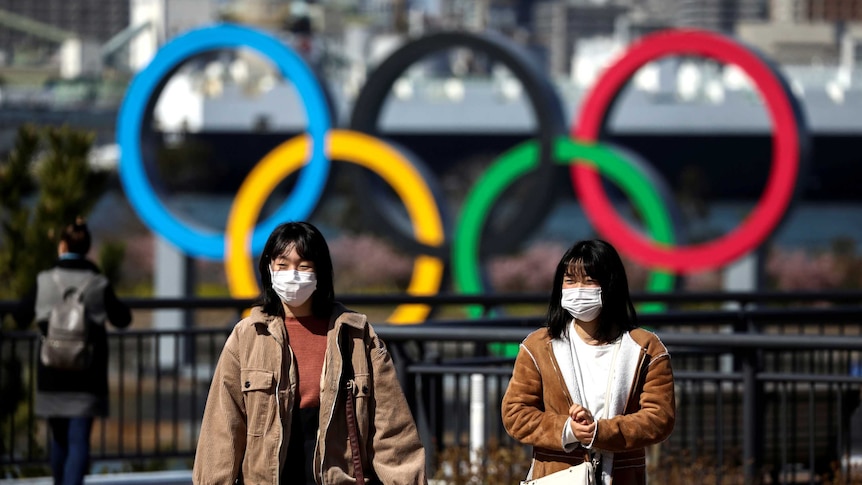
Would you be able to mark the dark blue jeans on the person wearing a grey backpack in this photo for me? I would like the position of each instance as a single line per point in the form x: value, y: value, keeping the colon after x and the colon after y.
x: 70, y: 449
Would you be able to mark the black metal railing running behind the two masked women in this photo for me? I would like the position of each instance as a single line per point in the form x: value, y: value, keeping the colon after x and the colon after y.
x: 766, y: 384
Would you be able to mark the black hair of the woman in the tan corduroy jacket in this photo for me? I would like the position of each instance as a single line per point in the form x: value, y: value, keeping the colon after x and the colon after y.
x: 310, y: 245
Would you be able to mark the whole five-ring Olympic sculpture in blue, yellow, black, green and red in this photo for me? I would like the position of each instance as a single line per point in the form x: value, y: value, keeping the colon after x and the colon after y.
x: 431, y: 237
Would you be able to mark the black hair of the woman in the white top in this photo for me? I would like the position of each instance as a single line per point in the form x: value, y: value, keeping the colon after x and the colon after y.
x: 600, y: 261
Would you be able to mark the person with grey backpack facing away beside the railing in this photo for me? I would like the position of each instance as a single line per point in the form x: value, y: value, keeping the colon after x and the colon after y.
x: 70, y: 399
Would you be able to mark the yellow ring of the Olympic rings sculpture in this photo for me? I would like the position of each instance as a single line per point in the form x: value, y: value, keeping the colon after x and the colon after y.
x: 353, y: 147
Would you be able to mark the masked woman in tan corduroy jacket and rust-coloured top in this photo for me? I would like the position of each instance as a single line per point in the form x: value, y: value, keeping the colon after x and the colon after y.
x: 305, y: 391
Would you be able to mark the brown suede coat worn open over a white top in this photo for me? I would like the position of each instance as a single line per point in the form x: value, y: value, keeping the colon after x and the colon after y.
x: 535, y: 409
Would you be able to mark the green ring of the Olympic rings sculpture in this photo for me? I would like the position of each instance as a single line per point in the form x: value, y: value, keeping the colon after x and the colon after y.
x: 628, y: 176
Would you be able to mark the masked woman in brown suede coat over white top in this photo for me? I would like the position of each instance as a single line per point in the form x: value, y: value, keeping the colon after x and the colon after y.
x: 591, y: 385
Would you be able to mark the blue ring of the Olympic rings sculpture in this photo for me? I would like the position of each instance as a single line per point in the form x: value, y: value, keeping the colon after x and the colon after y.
x: 138, y: 101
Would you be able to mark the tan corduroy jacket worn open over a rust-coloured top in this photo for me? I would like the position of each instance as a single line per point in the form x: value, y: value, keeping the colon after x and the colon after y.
x: 247, y: 419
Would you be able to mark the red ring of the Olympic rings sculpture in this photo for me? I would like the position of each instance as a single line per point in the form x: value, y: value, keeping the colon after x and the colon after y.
x: 786, y: 151
